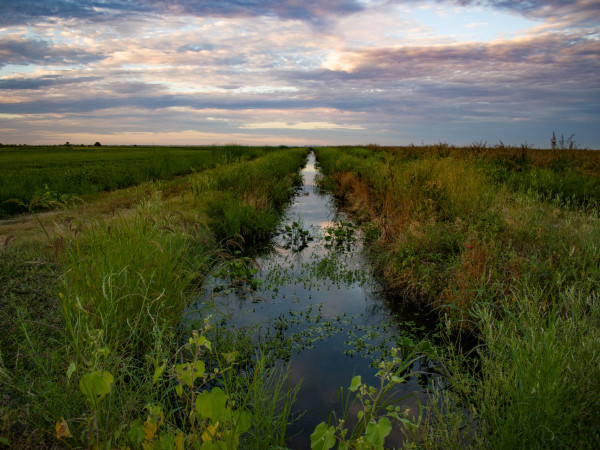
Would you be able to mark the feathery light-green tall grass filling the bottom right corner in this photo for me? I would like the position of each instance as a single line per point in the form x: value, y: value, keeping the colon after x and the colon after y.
x: 540, y: 365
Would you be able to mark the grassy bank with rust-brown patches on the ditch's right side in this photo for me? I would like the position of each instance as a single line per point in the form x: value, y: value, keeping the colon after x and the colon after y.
x: 501, y: 243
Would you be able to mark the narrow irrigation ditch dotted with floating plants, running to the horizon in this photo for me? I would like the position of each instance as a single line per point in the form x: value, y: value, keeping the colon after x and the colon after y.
x: 312, y: 295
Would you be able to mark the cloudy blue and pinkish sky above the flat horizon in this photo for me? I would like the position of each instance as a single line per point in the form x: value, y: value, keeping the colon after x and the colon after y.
x: 299, y: 72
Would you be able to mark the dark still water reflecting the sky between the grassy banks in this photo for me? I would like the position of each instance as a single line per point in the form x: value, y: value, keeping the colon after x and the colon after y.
x: 324, y: 296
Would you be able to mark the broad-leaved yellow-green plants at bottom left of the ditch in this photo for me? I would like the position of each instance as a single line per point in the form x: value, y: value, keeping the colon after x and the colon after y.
x: 207, y: 419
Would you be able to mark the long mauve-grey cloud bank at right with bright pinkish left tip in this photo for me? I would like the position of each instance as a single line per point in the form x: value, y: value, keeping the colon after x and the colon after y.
x: 510, y: 60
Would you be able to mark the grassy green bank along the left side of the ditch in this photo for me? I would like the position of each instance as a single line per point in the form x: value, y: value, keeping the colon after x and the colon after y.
x: 98, y: 354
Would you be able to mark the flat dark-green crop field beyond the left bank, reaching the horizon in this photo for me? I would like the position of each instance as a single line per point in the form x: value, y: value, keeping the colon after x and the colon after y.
x: 30, y: 175
